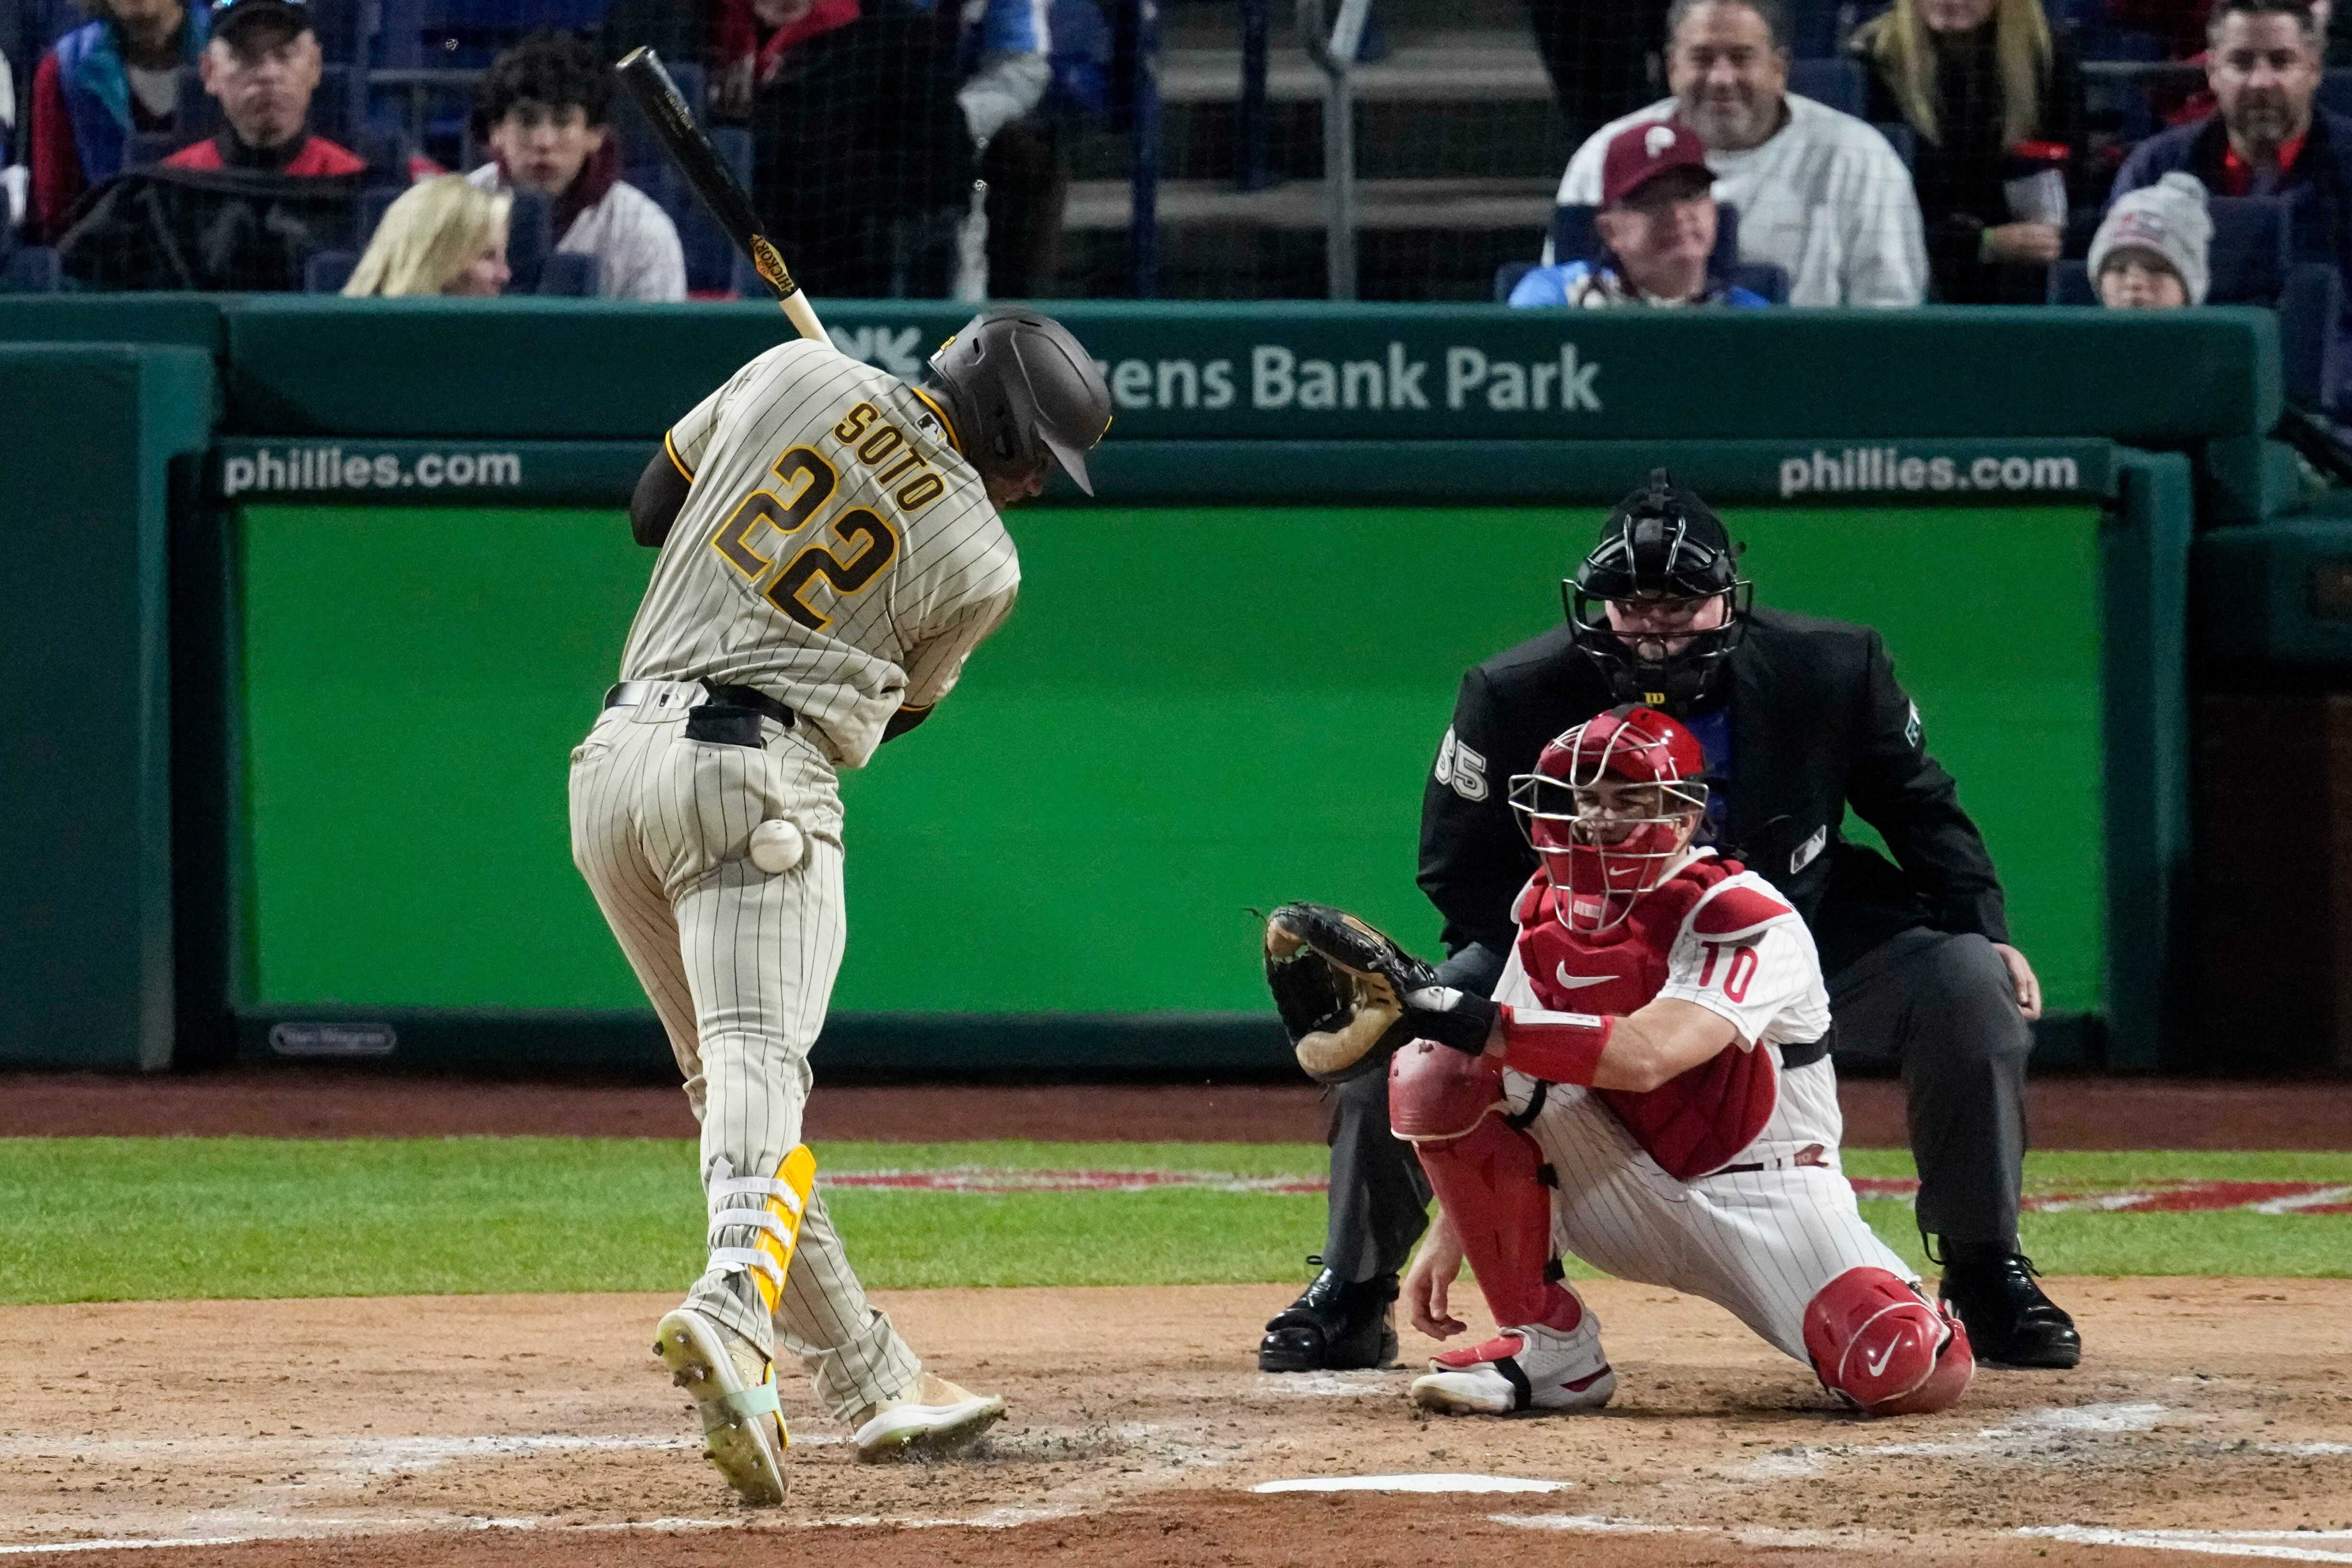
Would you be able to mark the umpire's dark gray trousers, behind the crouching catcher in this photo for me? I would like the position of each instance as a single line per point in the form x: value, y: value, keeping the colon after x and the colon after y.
x: 1937, y: 1005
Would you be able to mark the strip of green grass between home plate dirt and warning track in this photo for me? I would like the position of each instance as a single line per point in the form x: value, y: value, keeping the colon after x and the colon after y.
x: 168, y: 1219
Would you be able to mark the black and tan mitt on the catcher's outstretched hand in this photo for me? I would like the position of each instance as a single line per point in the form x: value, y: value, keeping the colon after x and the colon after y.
x: 1342, y: 989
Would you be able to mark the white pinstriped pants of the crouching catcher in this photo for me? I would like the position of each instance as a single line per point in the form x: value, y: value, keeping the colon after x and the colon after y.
x: 1758, y: 1242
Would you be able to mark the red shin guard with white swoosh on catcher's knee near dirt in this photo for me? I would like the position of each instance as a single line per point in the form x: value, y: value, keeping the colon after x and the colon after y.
x: 1885, y: 1351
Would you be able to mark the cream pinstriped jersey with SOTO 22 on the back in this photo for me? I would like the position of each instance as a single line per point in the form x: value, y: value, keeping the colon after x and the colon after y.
x: 834, y: 551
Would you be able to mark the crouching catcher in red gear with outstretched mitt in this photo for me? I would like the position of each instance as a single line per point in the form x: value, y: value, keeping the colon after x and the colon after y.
x: 1650, y: 1090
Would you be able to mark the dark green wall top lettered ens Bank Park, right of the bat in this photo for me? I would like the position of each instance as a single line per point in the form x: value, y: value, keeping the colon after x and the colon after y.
x: 1481, y: 373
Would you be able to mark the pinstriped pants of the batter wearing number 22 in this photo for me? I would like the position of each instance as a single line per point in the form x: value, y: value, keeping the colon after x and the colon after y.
x: 740, y: 967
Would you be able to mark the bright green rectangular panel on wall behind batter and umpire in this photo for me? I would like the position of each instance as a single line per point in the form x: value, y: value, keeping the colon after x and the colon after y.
x: 1191, y: 713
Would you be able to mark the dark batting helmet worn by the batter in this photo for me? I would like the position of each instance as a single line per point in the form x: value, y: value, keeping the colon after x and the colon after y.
x: 1015, y: 384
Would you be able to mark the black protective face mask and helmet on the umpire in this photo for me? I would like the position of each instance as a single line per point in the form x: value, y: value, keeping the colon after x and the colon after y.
x: 1659, y: 544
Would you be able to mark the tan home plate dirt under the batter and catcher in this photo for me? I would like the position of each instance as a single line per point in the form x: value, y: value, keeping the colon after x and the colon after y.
x: 2214, y: 1414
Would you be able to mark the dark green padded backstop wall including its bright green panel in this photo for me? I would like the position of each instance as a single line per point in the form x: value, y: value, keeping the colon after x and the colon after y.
x: 403, y: 579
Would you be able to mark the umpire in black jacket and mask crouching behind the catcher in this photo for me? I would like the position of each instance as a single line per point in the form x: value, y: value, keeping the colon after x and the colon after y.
x: 1800, y: 721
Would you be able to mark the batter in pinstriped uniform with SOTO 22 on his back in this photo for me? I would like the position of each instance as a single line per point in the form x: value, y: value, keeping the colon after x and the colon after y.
x: 831, y: 554
